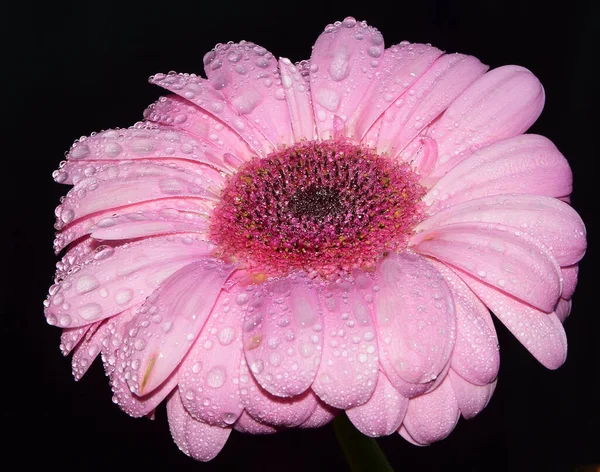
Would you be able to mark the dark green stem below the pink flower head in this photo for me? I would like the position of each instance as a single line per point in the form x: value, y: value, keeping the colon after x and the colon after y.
x: 362, y: 452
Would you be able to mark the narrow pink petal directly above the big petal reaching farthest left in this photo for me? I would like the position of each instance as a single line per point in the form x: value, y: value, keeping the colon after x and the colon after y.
x: 139, y: 220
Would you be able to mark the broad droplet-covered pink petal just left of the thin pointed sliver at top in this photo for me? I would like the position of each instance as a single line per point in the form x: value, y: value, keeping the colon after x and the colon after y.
x: 247, y: 75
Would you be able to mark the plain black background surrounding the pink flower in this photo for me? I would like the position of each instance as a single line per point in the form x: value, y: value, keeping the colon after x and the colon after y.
x: 74, y: 68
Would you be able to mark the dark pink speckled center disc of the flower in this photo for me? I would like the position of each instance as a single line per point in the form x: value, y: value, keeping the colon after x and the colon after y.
x: 325, y: 207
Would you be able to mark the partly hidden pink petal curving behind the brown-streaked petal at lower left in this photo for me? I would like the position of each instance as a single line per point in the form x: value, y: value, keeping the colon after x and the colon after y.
x: 115, y: 362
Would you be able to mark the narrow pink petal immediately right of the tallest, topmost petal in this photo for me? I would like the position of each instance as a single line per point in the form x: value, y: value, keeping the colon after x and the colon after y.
x: 401, y: 66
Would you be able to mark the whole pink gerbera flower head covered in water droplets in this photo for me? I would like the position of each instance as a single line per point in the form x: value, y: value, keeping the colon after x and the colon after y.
x: 278, y: 242
